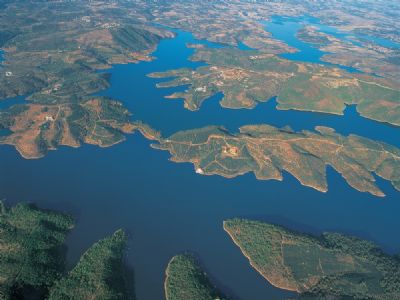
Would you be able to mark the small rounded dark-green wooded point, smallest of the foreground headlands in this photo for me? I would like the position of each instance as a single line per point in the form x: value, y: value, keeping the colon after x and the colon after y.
x: 186, y: 280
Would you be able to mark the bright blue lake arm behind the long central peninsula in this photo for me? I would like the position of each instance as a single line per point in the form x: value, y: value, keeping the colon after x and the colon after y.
x: 130, y: 84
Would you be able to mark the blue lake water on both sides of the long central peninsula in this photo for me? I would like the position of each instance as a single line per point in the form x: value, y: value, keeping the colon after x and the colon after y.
x: 168, y: 209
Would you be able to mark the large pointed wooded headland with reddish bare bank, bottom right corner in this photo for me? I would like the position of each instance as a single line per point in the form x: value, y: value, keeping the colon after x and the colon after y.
x: 333, y: 265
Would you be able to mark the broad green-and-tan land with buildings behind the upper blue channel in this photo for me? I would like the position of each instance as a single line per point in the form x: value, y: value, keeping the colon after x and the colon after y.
x: 248, y: 77
